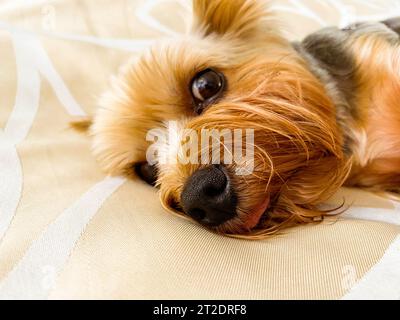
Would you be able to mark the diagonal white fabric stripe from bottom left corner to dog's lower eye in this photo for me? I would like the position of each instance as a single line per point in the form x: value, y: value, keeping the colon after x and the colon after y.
x: 34, y: 276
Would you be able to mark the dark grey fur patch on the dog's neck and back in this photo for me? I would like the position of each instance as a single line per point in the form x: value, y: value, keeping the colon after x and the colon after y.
x: 329, y: 57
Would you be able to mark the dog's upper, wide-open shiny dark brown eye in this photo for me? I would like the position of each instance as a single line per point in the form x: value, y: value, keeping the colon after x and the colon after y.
x: 207, y: 86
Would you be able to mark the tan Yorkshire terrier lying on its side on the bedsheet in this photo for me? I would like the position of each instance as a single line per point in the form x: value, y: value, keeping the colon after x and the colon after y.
x: 325, y: 113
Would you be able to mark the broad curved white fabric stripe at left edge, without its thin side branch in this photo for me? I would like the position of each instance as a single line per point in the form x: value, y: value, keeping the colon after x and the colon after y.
x: 16, y: 129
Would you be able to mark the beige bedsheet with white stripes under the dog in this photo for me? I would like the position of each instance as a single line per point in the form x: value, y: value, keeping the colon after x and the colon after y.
x: 67, y: 231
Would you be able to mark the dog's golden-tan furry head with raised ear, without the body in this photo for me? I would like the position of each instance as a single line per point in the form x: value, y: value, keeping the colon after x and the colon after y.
x: 232, y: 73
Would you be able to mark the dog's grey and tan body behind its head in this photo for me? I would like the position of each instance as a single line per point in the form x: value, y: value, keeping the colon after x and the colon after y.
x: 360, y: 67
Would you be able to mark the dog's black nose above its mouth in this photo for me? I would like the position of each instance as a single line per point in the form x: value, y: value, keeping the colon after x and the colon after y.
x: 208, y: 196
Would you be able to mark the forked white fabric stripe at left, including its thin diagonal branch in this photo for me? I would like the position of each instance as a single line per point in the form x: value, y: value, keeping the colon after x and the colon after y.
x: 31, y: 60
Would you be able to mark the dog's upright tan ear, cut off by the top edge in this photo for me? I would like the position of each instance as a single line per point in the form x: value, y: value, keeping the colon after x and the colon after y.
x: 233, y: 18
